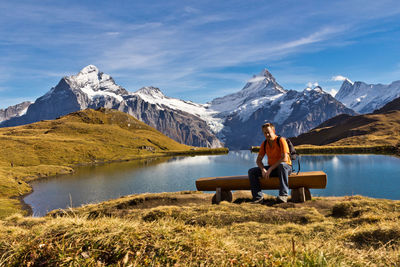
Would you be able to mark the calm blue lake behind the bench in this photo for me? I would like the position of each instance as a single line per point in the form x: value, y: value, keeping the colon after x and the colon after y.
x: 368, y: 175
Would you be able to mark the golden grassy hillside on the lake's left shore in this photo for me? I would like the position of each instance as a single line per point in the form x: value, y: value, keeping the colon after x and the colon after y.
x: 53, y: 147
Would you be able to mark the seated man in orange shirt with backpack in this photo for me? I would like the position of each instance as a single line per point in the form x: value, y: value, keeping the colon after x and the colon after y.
x: 279, y: 165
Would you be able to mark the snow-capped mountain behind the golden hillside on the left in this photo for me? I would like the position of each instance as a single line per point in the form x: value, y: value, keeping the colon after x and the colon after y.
x: 91, y: 88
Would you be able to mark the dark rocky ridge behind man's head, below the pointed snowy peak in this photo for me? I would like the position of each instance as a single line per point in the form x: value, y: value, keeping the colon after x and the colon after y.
x: 292, y: 113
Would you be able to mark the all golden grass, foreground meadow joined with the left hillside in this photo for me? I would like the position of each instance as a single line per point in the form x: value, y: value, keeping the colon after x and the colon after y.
x: 180, y: 229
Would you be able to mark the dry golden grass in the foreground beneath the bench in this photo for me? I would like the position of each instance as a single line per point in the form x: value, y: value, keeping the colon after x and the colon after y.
x: 184, y: 229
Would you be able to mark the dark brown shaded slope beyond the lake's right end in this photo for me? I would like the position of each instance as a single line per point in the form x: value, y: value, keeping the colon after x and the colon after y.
x: 361, y: 130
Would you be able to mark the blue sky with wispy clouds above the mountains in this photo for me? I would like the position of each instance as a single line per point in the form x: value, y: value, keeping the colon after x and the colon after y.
x: 196, y: 50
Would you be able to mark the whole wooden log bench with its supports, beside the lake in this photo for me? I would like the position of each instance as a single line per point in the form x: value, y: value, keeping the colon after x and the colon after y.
x: 299, y: 183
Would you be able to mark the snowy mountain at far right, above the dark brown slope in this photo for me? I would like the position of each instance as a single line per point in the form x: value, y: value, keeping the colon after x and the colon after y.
x: 365, y: 98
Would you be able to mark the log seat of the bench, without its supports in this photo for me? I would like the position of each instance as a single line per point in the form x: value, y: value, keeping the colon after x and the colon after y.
x: 315, y: 179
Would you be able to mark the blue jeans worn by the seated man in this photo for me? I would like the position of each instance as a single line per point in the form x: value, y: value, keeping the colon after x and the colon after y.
x: 282, y: 171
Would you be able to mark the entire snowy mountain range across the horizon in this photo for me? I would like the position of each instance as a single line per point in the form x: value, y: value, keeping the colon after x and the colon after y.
x: 233, y: 120
